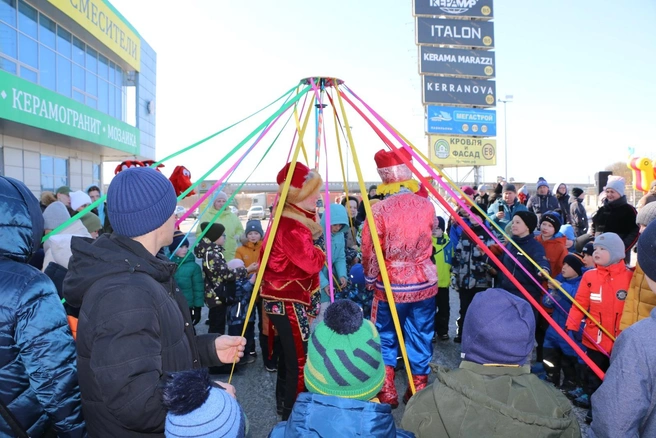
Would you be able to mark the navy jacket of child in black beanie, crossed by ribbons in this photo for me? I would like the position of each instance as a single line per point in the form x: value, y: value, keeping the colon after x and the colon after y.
x: 529, y: 248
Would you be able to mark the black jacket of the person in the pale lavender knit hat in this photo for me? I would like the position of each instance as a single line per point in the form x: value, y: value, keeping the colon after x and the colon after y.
x: 617, y: 217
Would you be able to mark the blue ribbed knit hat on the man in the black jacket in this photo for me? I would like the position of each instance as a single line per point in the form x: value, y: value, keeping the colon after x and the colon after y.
x: 139, y: 200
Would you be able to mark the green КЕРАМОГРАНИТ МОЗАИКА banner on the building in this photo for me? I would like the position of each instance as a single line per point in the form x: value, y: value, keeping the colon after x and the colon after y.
x: 23, y: 102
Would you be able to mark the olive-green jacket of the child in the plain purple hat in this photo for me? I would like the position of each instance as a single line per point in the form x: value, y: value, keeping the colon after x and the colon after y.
x: 489, y: 401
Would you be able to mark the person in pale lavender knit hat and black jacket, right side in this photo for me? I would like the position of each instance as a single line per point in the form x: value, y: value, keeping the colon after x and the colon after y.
x: 617, y: 216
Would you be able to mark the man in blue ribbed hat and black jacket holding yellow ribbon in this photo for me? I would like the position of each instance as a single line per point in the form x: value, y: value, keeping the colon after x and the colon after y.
x: 134, y: 327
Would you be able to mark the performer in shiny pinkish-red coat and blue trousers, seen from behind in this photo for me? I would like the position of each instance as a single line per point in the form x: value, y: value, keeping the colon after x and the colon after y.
x: 404, y: 223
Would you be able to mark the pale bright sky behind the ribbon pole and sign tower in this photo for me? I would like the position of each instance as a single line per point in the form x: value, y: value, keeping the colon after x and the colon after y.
x: 581, y: 76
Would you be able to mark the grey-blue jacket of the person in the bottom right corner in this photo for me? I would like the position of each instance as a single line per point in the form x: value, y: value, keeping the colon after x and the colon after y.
x: 625, y: 404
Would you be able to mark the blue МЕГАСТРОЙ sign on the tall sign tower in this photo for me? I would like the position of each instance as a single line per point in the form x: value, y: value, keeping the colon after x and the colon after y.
x: 461, y: 121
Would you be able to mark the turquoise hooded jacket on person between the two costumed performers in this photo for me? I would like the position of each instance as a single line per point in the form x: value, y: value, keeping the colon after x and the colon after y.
x: 338, y: 216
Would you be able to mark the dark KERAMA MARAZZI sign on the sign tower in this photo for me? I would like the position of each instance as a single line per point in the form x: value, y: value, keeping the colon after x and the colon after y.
x: 456, y: 62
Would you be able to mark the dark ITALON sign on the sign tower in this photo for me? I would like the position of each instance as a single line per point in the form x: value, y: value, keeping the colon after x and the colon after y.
x: 461, y: 33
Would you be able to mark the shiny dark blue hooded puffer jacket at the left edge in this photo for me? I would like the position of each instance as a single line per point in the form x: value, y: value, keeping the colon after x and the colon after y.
x: 38, y: 374
